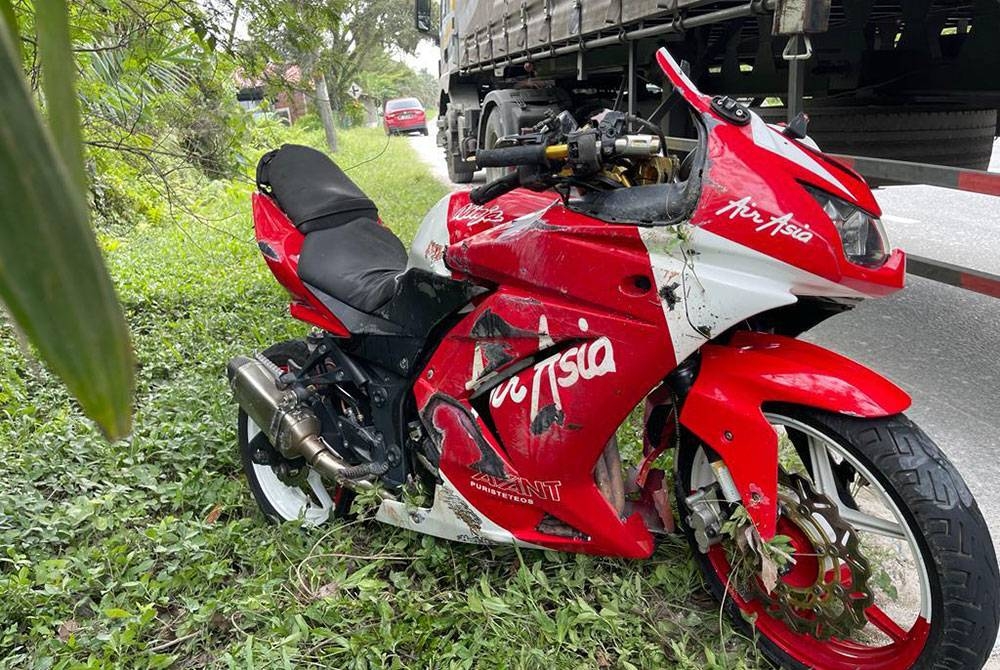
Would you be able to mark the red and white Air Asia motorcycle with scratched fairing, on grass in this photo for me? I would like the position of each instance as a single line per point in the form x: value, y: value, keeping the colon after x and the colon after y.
x: 490, y: 369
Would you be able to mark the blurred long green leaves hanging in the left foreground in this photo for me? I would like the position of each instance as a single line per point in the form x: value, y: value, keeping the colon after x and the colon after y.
x: 52, y: 277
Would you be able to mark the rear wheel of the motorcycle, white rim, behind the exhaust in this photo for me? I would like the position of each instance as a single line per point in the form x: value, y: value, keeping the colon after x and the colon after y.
x: 307, y: 499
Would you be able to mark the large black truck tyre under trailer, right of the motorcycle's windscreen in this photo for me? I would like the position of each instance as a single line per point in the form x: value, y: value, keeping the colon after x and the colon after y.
x: 956, y: 138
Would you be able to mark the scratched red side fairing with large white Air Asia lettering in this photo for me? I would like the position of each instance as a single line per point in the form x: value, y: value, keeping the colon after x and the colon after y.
x: 558, y: 381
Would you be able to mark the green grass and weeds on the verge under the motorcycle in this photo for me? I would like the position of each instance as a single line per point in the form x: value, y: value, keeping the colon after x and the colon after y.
x: 149, y: 553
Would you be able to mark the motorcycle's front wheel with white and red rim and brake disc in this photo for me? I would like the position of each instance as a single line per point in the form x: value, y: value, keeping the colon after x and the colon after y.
x: 891, y: 563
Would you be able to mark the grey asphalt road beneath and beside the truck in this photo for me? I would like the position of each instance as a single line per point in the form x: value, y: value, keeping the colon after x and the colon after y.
x: 940, y: 343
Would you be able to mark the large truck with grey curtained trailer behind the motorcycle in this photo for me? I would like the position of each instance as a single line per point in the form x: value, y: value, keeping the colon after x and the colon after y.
x: 910, y: 80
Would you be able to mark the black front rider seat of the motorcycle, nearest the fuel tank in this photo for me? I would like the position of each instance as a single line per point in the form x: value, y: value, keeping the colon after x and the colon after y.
x: 356, y: 262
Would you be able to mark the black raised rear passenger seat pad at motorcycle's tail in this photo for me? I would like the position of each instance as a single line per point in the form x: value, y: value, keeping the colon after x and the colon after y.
x: 311, y: 189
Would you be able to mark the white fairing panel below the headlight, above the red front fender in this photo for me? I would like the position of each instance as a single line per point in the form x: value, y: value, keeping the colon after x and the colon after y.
x: 709, y: 283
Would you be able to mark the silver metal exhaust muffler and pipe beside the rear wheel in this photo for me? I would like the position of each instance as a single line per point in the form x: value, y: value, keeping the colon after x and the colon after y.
x: 288, y: 423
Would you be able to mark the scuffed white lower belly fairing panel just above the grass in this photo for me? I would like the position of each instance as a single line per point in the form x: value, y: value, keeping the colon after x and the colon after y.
x: 451, y: 517
